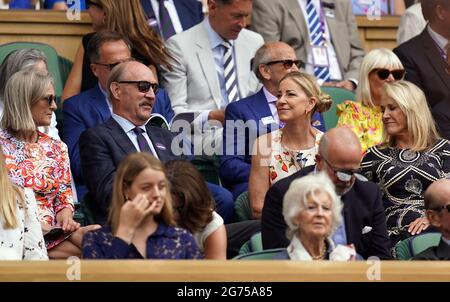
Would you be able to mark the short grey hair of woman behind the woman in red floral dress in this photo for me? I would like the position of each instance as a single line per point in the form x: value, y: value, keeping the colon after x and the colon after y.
x: 21, y: 59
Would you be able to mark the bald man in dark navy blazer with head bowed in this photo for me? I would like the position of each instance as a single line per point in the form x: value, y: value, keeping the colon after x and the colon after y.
x: 364, y: 220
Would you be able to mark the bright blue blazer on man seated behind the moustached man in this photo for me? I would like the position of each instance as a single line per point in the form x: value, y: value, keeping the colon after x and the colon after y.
x: 89, y: 109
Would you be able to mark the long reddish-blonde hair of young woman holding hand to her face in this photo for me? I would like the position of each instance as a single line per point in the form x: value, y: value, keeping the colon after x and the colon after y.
x: 130, y: 167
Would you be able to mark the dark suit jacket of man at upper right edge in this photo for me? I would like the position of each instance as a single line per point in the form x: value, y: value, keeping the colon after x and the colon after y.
x: 425, y: 67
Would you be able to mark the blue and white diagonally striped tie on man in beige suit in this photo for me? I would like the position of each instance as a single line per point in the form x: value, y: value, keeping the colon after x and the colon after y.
x: 316, y: 32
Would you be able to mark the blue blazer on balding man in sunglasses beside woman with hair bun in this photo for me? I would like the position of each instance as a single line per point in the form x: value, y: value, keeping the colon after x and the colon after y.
x: 235, y: 167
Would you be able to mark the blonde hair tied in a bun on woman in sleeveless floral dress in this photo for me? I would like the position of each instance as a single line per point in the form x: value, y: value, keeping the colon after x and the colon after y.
x: 308, y: 84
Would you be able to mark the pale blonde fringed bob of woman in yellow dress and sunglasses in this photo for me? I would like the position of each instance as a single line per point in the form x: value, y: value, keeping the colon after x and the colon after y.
x: 376, y: 58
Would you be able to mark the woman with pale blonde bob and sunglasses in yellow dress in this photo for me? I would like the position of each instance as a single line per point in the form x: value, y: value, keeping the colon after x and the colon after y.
x: 364, y: 116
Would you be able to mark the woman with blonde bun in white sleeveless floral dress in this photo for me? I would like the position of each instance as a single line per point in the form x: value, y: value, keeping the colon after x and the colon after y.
x: 283, y: 152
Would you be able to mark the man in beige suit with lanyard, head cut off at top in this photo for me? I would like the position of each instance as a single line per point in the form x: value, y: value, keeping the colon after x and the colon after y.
x: 287, y: 21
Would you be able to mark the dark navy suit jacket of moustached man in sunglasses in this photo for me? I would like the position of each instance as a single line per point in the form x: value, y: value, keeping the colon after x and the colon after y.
x: 102, y: 148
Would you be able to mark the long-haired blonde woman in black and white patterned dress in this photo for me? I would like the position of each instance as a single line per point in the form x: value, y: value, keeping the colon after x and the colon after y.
x: 411, y: 158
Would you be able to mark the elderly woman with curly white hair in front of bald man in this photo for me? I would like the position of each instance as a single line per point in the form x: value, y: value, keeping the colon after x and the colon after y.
x: 312, y: 211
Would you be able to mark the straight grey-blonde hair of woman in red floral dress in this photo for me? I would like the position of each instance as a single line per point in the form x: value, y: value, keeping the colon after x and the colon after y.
x: 22, y: 91
